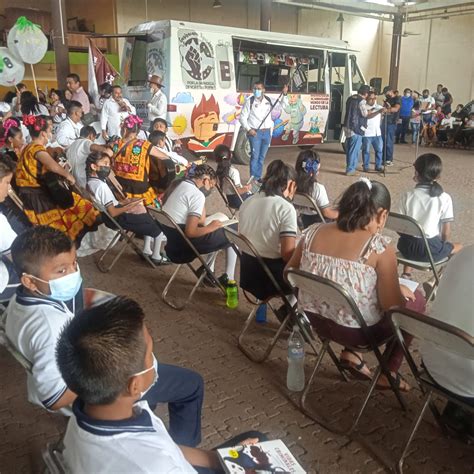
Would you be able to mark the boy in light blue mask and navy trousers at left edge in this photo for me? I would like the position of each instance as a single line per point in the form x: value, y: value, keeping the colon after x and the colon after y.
x: 49, y: 297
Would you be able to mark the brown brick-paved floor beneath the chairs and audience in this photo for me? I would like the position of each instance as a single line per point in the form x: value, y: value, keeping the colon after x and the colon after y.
x: 241, y: 395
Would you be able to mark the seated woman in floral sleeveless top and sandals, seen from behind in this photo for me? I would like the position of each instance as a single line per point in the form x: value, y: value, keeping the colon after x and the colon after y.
x: 353, y: 253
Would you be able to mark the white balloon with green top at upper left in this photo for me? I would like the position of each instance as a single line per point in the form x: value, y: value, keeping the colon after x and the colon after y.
x: 26, y: 41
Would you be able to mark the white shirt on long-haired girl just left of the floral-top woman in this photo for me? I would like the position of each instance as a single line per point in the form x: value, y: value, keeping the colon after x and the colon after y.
x: 264, y: 220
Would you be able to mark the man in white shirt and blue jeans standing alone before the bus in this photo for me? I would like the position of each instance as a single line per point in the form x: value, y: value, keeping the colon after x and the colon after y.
x: 256, y: 120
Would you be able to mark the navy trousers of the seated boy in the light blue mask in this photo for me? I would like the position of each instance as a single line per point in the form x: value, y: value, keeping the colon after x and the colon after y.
x: 183, y: 390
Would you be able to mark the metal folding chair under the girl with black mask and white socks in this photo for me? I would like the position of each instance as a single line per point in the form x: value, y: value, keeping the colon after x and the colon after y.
x: 126, y: 236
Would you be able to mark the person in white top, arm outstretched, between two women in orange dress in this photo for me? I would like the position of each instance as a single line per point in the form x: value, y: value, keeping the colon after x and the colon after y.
x: 80, y: 149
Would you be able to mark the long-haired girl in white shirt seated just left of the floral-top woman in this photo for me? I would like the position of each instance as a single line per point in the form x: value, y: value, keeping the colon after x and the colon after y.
x: 269, y: 221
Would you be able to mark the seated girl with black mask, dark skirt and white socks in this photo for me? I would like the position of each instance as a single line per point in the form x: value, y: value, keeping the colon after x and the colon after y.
x: 130, y: 214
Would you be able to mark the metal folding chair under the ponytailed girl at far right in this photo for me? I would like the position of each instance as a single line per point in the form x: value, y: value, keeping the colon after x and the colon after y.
x: 403, y: 224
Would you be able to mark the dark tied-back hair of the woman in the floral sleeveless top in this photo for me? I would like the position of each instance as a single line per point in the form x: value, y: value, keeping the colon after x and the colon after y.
x: 360, y: 203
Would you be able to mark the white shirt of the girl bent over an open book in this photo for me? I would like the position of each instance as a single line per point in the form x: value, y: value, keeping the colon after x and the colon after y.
x: 186, y: 200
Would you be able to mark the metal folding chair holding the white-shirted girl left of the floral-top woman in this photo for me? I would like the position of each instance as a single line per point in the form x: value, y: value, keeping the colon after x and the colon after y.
x: 242, y: 244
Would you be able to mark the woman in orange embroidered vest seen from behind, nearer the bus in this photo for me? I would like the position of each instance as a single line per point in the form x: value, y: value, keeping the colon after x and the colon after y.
x: 132, y: 162
